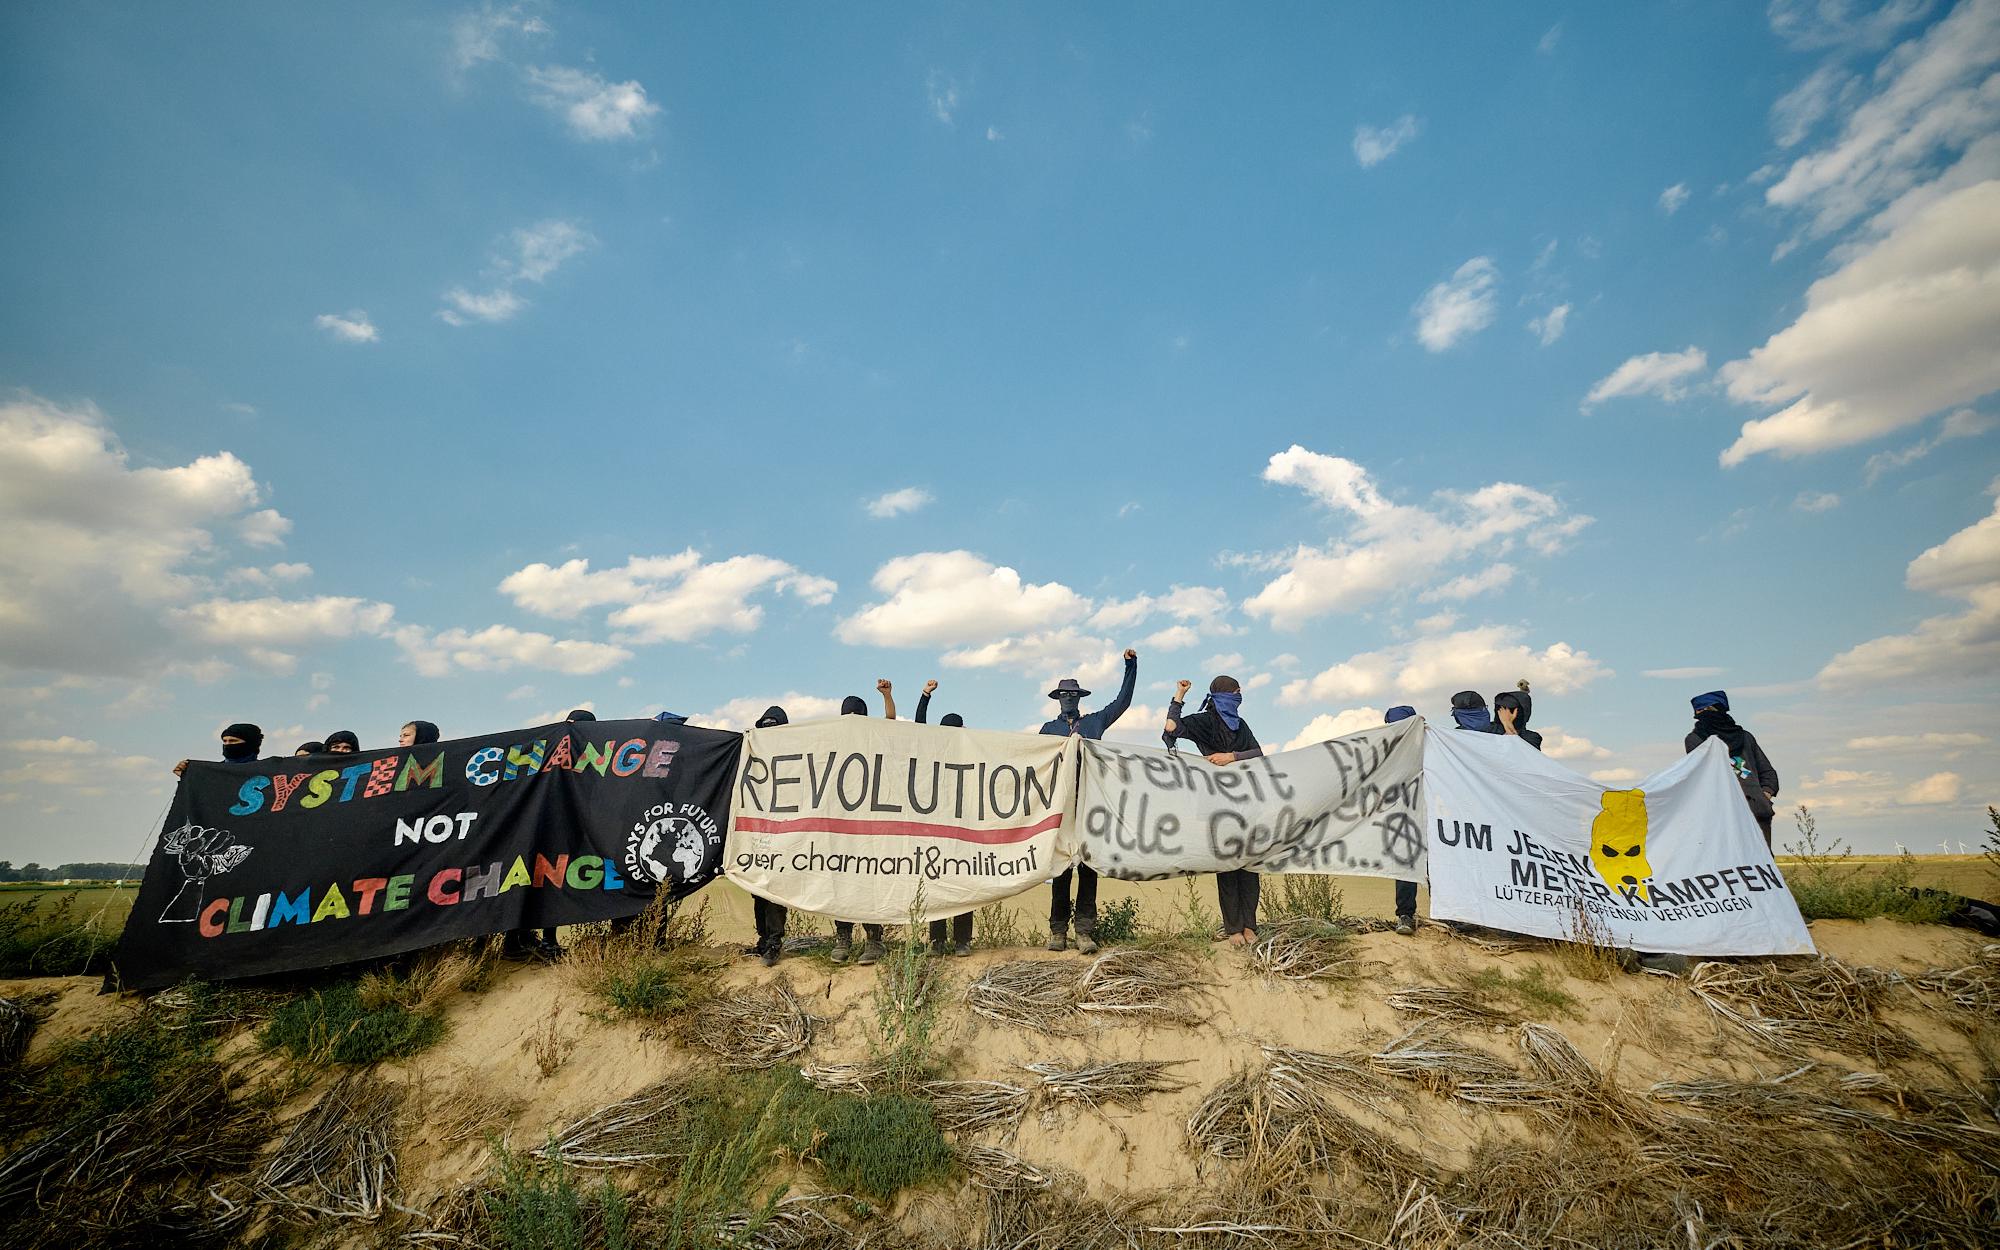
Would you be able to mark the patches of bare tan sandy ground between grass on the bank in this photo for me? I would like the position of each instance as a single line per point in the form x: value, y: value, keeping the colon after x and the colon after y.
x: 539, y: 1051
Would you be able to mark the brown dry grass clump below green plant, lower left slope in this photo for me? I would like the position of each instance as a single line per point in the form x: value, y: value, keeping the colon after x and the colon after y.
x: 339, y: 1159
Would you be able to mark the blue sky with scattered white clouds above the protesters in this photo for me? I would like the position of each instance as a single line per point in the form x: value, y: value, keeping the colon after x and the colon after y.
x: 479, y: 363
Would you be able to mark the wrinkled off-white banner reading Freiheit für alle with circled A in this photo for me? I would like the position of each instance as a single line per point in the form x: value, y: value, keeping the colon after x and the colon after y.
x: 1351, y: 805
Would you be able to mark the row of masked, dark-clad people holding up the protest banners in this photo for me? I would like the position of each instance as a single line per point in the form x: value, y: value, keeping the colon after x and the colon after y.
x: 1219, y: 733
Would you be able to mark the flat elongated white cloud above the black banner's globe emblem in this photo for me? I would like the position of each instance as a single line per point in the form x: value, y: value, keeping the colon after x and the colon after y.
x: 665, y: 599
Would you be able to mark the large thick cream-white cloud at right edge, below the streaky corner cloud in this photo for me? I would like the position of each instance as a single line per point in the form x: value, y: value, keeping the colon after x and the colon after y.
x: 1901, y: 331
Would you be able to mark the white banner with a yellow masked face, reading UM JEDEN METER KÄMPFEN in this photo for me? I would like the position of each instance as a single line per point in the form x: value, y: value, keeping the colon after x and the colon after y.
x: 1673, y: 865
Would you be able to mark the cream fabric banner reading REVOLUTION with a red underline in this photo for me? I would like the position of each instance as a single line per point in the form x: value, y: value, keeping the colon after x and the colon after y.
x: 863, y: 819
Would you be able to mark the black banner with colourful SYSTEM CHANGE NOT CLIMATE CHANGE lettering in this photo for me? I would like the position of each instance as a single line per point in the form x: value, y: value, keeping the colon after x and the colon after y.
x: 321, y: 861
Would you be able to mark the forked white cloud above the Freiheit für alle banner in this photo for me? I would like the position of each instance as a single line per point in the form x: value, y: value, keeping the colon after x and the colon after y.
x: 1395, y: 547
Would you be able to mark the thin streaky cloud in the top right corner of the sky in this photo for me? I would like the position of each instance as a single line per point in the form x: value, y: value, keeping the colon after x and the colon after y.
x: 1933, y: 95
